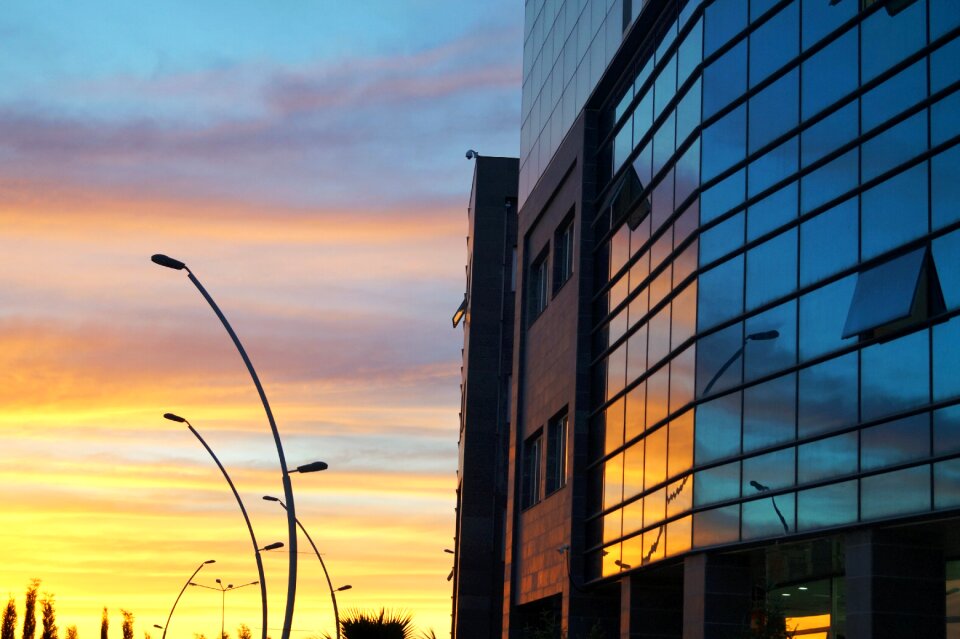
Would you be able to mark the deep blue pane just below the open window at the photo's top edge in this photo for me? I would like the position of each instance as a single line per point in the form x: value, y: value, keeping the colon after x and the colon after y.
x: 886, y: 39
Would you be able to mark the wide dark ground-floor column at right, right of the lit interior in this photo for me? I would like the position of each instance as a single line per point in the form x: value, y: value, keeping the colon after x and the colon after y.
x: 895, y: 586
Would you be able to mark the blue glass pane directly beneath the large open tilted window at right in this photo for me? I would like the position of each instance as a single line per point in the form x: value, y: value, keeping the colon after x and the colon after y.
x: 896, y: 375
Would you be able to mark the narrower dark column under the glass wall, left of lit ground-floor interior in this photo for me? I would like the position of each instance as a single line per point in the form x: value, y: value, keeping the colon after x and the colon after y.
x: 716, y: 596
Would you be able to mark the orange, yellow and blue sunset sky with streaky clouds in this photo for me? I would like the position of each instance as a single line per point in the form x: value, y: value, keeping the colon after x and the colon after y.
x: 306, y: 159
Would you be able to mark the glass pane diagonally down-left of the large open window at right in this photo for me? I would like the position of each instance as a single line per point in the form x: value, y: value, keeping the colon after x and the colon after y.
x: 828, y: 396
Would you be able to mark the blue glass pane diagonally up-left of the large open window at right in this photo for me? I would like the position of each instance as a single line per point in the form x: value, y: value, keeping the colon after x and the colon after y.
x: 829, y: 242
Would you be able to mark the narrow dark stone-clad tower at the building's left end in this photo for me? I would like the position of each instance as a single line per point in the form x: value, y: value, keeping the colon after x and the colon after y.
x: 487, y: 358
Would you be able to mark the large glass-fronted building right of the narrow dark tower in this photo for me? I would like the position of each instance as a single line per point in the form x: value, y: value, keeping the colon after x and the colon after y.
x: 758, y: 361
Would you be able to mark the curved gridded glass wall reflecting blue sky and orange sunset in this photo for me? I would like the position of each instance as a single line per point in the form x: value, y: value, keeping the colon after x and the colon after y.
x: 776, y: 340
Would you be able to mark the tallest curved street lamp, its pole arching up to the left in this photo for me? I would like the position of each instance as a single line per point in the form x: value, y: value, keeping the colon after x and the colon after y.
x: 171, y: 263
